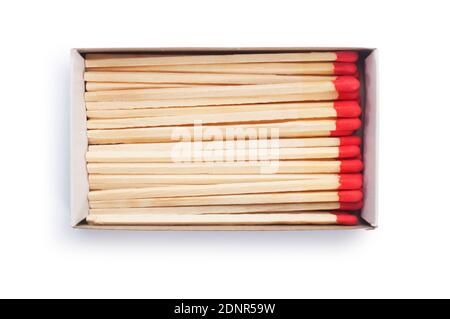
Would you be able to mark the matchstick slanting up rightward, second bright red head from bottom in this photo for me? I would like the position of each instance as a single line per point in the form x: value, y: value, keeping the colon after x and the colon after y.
x: 346, y: 196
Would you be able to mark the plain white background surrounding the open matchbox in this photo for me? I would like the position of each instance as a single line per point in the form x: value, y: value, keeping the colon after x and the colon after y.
x: 41, y: 256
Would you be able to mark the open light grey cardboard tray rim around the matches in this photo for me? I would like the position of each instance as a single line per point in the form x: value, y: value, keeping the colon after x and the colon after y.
x: 79, y: 142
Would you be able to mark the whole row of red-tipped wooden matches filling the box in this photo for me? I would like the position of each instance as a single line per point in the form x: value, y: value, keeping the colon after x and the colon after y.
x: 223, y: 139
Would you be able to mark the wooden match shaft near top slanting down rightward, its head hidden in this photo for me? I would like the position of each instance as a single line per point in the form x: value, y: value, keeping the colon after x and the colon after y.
x: 199, y: 78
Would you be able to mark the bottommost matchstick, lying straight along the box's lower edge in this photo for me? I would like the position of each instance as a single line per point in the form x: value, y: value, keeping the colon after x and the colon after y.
x: 303, y: 218
